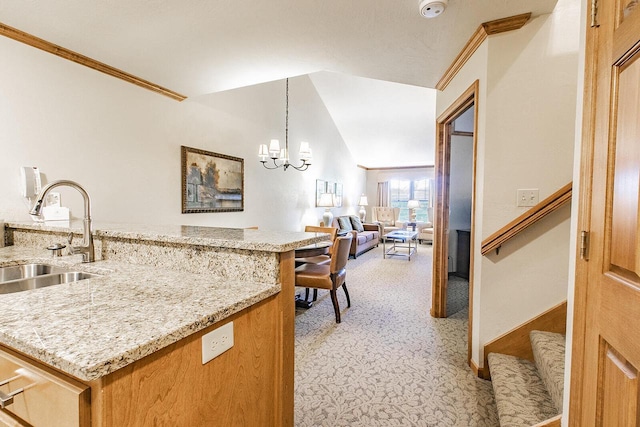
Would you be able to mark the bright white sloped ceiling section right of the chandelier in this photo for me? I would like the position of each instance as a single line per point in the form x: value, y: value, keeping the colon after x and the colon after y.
x: 384, y: 124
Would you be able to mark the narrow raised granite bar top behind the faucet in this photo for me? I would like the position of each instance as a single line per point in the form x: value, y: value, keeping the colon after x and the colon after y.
x: 233, y: 238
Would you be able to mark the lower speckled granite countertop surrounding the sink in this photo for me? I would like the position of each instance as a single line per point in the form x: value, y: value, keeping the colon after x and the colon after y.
x: 93, y: 327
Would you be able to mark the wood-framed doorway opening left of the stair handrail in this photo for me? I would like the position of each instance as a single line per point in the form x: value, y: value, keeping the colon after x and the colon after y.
x: 455, y: 170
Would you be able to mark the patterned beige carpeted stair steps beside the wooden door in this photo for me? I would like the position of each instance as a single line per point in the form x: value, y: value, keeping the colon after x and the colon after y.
x: 529, y: 393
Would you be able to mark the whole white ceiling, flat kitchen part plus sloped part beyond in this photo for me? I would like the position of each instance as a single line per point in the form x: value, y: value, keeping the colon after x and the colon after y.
x: 198, y: 47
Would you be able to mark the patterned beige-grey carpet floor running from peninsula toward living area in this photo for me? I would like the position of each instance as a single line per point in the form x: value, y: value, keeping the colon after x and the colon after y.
x: 388, y: 363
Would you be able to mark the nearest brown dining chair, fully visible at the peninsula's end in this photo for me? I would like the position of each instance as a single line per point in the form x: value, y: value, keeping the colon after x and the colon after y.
x: 328, y: 276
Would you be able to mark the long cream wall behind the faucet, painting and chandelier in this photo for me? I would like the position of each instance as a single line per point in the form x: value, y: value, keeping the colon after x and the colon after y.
x: 122, y: 143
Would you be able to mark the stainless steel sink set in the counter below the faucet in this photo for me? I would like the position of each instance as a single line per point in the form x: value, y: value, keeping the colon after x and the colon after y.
x: 33, y: 276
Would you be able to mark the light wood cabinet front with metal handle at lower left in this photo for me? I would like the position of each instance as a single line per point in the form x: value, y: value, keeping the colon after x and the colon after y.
x: 48, y: 399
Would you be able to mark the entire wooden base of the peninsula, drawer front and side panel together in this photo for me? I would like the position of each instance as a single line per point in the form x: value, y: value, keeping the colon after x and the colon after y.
x: 251, y: 384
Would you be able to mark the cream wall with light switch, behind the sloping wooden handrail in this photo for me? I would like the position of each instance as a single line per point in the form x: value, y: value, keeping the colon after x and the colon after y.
x: 526, y: 112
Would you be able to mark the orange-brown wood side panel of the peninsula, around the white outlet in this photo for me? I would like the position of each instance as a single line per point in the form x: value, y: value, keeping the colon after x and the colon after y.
x: 250, y: 384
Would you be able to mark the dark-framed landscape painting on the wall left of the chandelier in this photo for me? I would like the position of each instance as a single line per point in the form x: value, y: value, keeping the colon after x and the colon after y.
x: 211, y: 182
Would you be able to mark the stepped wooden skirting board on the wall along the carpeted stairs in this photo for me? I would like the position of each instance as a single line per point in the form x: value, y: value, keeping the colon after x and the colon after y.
x: 517, y: 343
